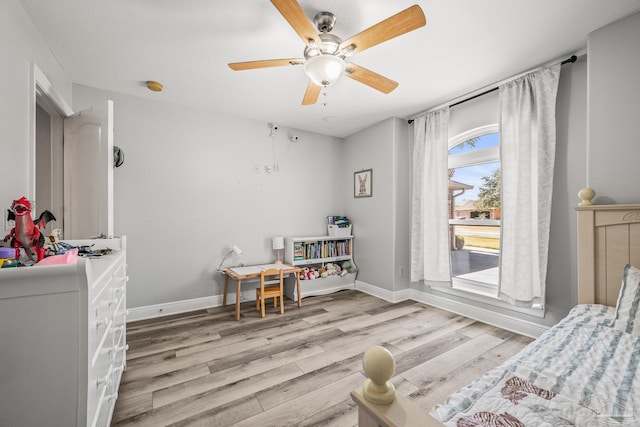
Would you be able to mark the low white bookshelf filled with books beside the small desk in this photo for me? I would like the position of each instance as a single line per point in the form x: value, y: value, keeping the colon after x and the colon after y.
x: 318, y: 251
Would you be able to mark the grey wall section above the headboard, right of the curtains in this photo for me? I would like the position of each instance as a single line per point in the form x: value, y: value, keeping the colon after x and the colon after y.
x: 614, y: 94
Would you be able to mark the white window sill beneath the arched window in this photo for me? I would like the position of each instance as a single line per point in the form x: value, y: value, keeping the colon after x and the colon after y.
x: 484, y: 293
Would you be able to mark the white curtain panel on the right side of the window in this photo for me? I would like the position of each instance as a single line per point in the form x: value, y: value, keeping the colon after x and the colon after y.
x: 527, y: 155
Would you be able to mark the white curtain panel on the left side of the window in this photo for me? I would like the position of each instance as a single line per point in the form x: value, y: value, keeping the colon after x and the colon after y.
x: 429, y: 207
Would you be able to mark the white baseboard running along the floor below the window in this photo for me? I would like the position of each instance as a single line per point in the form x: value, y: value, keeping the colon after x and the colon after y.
x: 509, y: 323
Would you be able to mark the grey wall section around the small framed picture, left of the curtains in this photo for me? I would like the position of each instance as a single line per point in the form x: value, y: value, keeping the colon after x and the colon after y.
x: 381, y: 221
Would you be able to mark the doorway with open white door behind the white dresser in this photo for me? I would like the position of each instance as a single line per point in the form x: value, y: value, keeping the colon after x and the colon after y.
x: 70, y: 162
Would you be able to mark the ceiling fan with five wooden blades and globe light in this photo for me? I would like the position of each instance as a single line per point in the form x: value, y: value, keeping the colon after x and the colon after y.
x: 325, y: 54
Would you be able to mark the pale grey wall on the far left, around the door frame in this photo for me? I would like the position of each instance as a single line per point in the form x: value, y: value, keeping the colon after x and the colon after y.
x: 20, y: 45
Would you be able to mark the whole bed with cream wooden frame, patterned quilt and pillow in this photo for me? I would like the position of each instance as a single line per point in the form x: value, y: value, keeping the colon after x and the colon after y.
x: 584, y: 371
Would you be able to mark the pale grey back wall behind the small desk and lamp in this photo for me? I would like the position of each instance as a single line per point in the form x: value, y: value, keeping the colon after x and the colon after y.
x: 187, y: 192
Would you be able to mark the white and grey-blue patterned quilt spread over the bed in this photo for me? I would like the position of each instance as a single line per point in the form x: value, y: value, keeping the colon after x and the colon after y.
x: 580, y: 372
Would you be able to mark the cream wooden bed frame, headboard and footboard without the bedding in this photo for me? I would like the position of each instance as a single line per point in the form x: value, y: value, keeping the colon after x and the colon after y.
x: 608, y: 239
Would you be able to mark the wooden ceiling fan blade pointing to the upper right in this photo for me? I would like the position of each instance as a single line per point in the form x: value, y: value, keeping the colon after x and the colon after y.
x: 394, y: 26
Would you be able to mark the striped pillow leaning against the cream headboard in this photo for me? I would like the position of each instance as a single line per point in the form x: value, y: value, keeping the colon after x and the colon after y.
x: 628, y: 306
